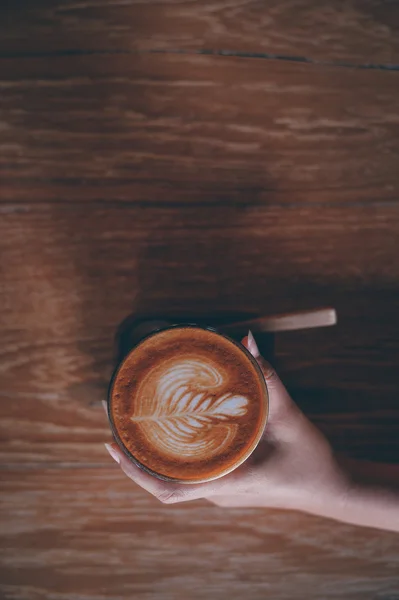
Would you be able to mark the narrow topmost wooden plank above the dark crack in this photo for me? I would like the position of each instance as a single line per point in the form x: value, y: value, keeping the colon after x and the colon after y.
x: 358, y: 31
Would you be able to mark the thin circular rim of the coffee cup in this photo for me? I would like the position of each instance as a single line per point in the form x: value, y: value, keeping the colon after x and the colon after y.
x: 251, y: 448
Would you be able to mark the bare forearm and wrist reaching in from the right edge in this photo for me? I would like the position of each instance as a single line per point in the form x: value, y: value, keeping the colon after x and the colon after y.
x: 370, y: 498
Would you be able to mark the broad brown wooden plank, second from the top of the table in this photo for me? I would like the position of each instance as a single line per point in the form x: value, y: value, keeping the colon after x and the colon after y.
x: 191, y: 129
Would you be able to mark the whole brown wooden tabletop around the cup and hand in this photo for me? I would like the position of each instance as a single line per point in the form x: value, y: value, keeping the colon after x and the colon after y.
x: 193, y: 157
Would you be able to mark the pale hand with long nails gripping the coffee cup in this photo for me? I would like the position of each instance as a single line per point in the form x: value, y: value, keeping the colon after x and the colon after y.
x: 292, y: 467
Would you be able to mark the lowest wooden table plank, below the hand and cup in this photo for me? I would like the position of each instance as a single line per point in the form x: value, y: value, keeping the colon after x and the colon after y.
x: 90, y: 534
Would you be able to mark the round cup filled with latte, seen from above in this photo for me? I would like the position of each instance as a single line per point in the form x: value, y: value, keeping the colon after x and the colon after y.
x: 188, y: 404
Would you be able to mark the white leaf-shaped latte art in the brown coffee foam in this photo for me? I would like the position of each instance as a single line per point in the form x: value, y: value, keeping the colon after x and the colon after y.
x: 180, y: 418
